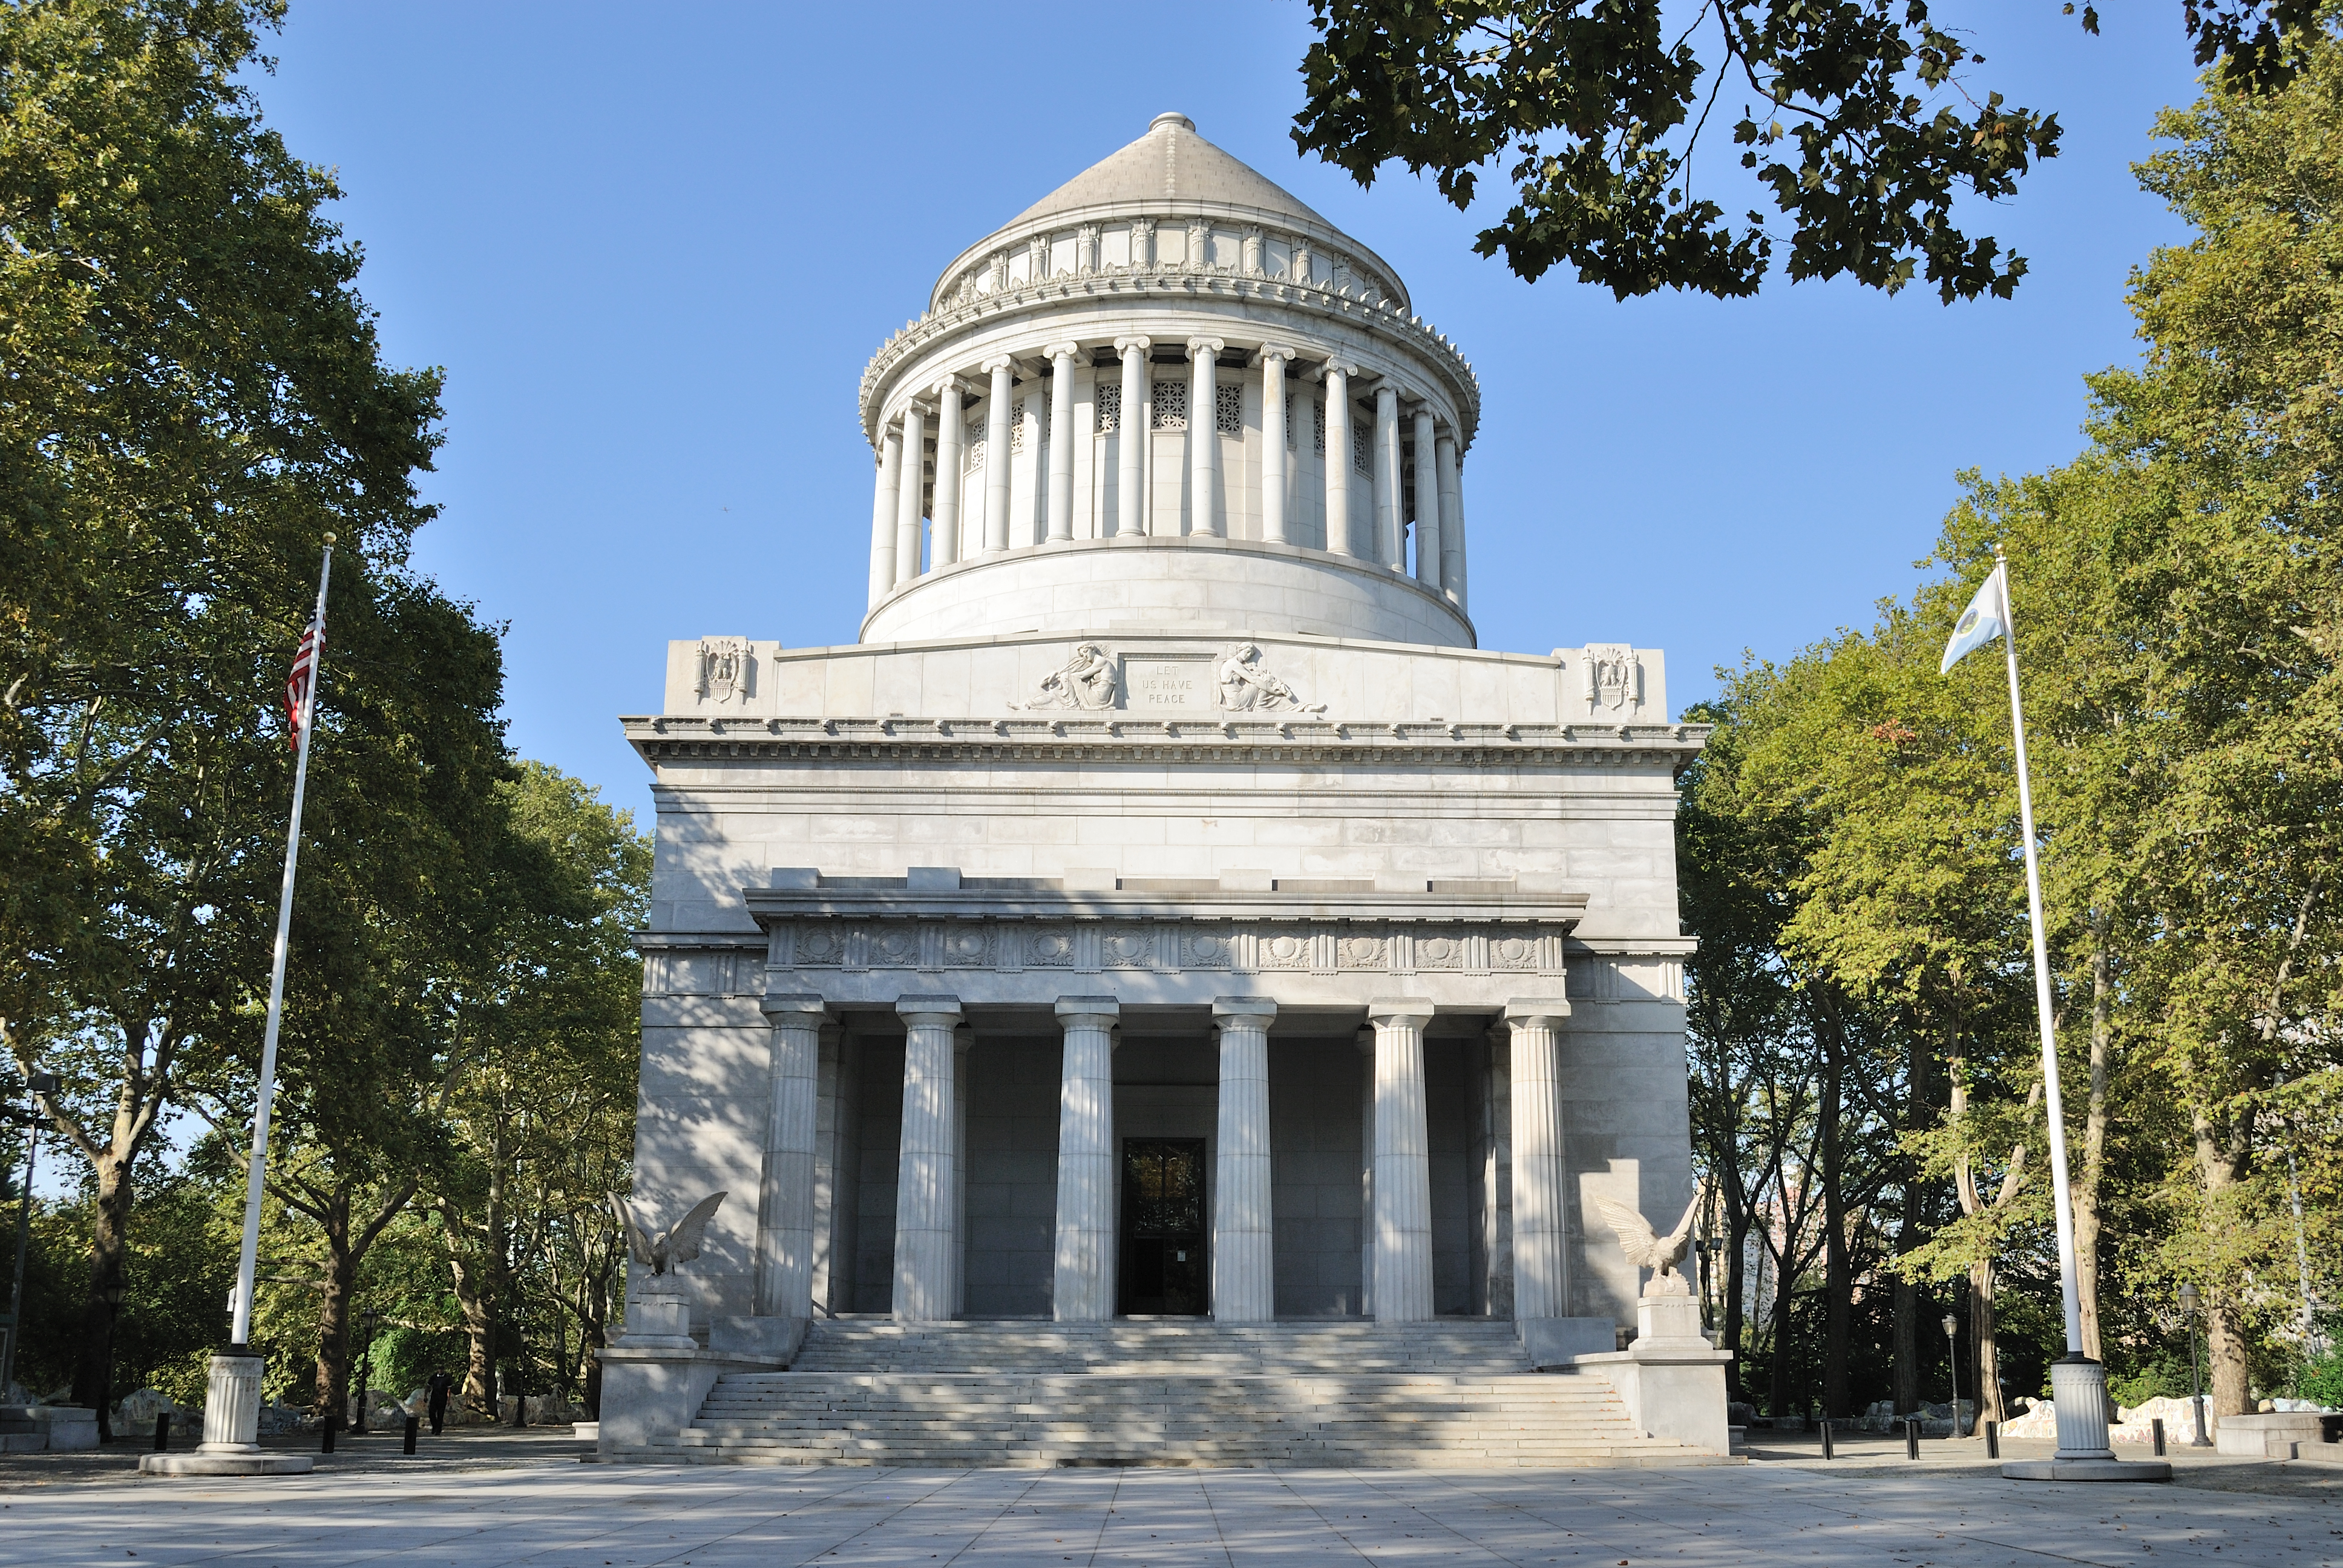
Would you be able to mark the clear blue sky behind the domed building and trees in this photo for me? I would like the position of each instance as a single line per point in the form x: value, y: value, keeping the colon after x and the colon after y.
x: 655, y: 247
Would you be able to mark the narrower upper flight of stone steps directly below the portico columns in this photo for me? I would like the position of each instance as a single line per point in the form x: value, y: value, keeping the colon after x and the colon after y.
x: 1437, y: 1347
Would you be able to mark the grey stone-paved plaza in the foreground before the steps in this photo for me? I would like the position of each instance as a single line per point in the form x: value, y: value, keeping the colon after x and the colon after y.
x: 547, y: 1513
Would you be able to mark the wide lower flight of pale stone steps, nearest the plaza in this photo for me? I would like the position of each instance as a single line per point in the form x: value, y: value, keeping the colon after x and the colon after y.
x: 1166, y: 1419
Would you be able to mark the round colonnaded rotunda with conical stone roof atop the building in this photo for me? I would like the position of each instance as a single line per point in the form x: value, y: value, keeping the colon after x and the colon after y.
x: 1170, y: 395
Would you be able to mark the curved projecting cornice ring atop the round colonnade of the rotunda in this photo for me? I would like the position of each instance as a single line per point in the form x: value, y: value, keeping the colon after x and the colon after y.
x: 1189, y: 285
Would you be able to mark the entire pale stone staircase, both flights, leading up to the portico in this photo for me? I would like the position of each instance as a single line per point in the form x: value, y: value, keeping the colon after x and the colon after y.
x: 868, y: 1391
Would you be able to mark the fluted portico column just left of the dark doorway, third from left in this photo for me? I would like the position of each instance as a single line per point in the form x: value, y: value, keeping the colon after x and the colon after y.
x: 1086, y: 1161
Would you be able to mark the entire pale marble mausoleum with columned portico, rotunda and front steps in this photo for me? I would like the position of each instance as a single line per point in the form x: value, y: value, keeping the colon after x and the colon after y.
x: 1166, y: 950
